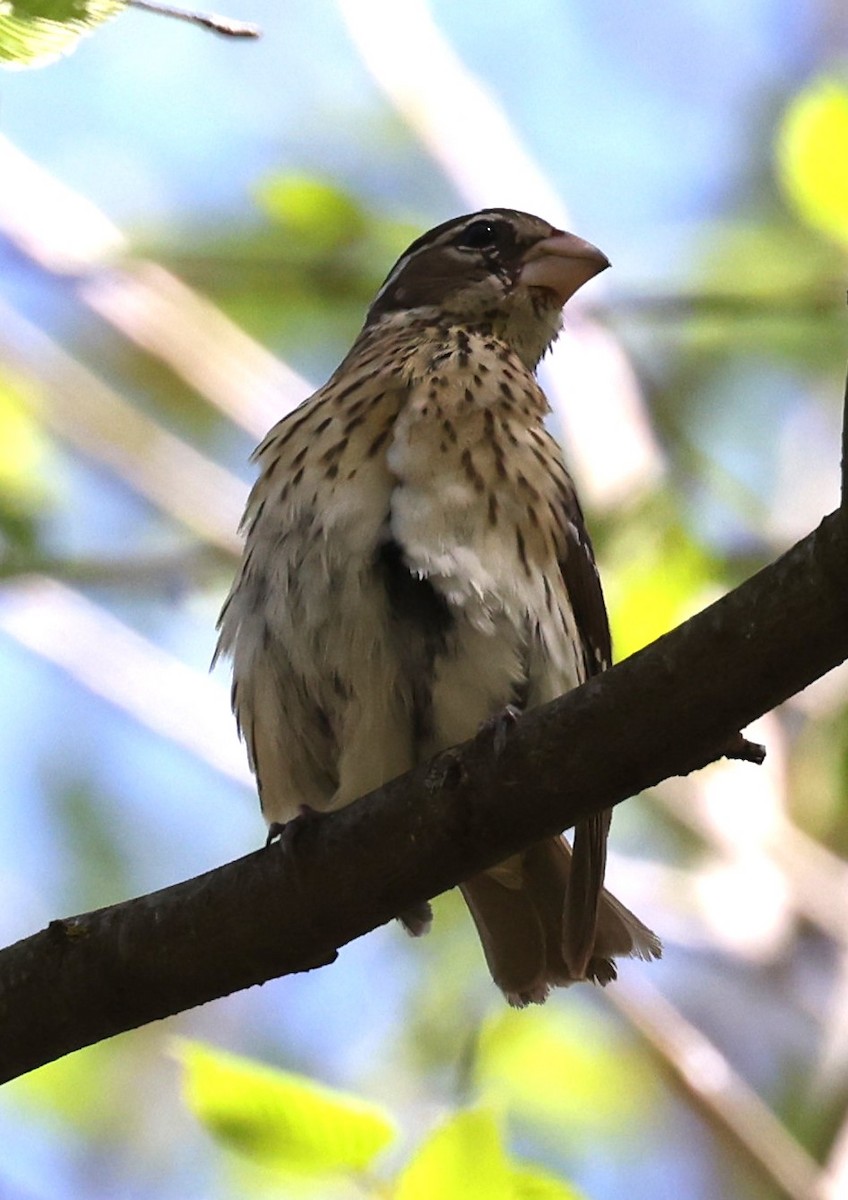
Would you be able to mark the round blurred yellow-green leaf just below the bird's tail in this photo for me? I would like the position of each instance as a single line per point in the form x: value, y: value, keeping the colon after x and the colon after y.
x: 573, y: 1073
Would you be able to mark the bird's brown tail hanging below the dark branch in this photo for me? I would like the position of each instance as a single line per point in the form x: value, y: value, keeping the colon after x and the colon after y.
x: 520, y: 911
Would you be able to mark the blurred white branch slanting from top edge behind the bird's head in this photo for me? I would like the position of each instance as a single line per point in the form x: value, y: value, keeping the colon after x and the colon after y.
x: 591, y: 382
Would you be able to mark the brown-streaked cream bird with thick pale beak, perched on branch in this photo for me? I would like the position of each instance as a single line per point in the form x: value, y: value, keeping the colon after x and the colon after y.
x: 417, y: 563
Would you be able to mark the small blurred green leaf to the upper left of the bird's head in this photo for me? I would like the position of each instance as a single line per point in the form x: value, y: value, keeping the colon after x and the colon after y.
x: 320, y: 215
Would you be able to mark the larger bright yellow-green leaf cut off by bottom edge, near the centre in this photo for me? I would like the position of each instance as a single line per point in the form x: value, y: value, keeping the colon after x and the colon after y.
x: 464, y: 1160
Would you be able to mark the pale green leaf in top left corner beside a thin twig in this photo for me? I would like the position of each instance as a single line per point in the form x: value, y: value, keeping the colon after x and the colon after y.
x: 34, y: 33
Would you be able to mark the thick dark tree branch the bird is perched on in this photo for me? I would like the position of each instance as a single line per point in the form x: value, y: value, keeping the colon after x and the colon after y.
x: 667, y: 711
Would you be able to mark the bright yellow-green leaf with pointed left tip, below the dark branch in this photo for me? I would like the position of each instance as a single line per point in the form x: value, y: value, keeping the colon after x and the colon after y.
x: 281, y: 1120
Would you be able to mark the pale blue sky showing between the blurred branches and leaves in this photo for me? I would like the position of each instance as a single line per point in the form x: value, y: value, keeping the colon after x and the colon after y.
x: 648, y: 119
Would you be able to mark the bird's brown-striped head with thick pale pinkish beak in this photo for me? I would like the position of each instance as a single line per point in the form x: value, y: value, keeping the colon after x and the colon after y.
x: 500, y: 268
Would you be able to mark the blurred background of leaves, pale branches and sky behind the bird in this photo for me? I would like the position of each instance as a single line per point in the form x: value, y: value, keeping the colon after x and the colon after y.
x: 175, y: 208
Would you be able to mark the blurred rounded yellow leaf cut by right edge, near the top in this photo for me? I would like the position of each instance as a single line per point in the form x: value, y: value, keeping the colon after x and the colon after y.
x: 813, y: 157
